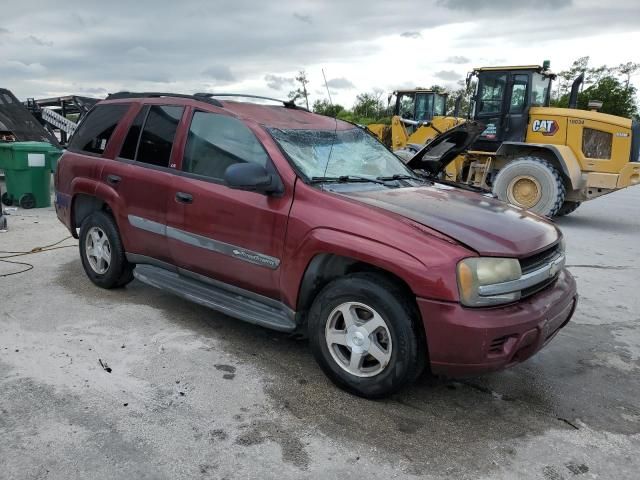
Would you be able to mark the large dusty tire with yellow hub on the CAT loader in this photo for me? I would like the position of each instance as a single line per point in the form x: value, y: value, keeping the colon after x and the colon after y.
x: 531, y: 183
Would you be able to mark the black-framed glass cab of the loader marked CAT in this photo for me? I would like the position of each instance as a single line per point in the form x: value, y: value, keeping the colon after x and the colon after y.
x: 502, y: 100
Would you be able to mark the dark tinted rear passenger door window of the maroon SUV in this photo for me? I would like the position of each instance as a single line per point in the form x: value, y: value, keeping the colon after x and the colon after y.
x: 157, y: 137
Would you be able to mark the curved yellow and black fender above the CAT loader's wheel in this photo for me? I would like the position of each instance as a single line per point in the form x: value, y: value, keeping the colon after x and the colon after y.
x: 560, y: 156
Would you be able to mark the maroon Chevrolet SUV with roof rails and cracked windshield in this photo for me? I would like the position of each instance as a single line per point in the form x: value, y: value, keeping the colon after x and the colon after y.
x: 299, y: 222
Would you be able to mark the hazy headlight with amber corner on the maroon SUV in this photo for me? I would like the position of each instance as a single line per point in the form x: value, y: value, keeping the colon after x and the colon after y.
x: 479, y: 271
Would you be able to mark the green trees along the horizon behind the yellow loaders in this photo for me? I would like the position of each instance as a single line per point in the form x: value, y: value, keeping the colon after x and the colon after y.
x: 611, y: 85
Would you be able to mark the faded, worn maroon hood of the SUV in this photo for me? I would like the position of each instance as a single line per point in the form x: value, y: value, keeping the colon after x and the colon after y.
x: 487, y: 226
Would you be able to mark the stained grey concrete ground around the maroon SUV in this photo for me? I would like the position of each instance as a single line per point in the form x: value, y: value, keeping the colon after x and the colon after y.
x: 195, y: 394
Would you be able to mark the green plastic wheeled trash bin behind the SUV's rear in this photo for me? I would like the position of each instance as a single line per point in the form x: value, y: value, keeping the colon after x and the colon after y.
x: 27, y: 167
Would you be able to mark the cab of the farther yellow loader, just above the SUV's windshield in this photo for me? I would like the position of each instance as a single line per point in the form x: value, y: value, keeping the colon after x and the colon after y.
x: 419, y: 106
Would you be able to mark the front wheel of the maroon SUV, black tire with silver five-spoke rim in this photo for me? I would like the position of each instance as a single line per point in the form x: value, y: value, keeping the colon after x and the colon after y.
x: 364, y: 334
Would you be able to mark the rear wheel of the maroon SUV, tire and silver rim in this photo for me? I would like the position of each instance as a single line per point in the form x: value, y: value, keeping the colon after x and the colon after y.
x: 102, y: 253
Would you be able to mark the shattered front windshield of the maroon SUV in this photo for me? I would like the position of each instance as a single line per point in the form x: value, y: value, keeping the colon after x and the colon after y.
x: 348, y: 153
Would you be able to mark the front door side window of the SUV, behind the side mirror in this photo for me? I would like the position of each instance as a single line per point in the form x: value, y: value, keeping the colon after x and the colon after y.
x: 216, y: 141
